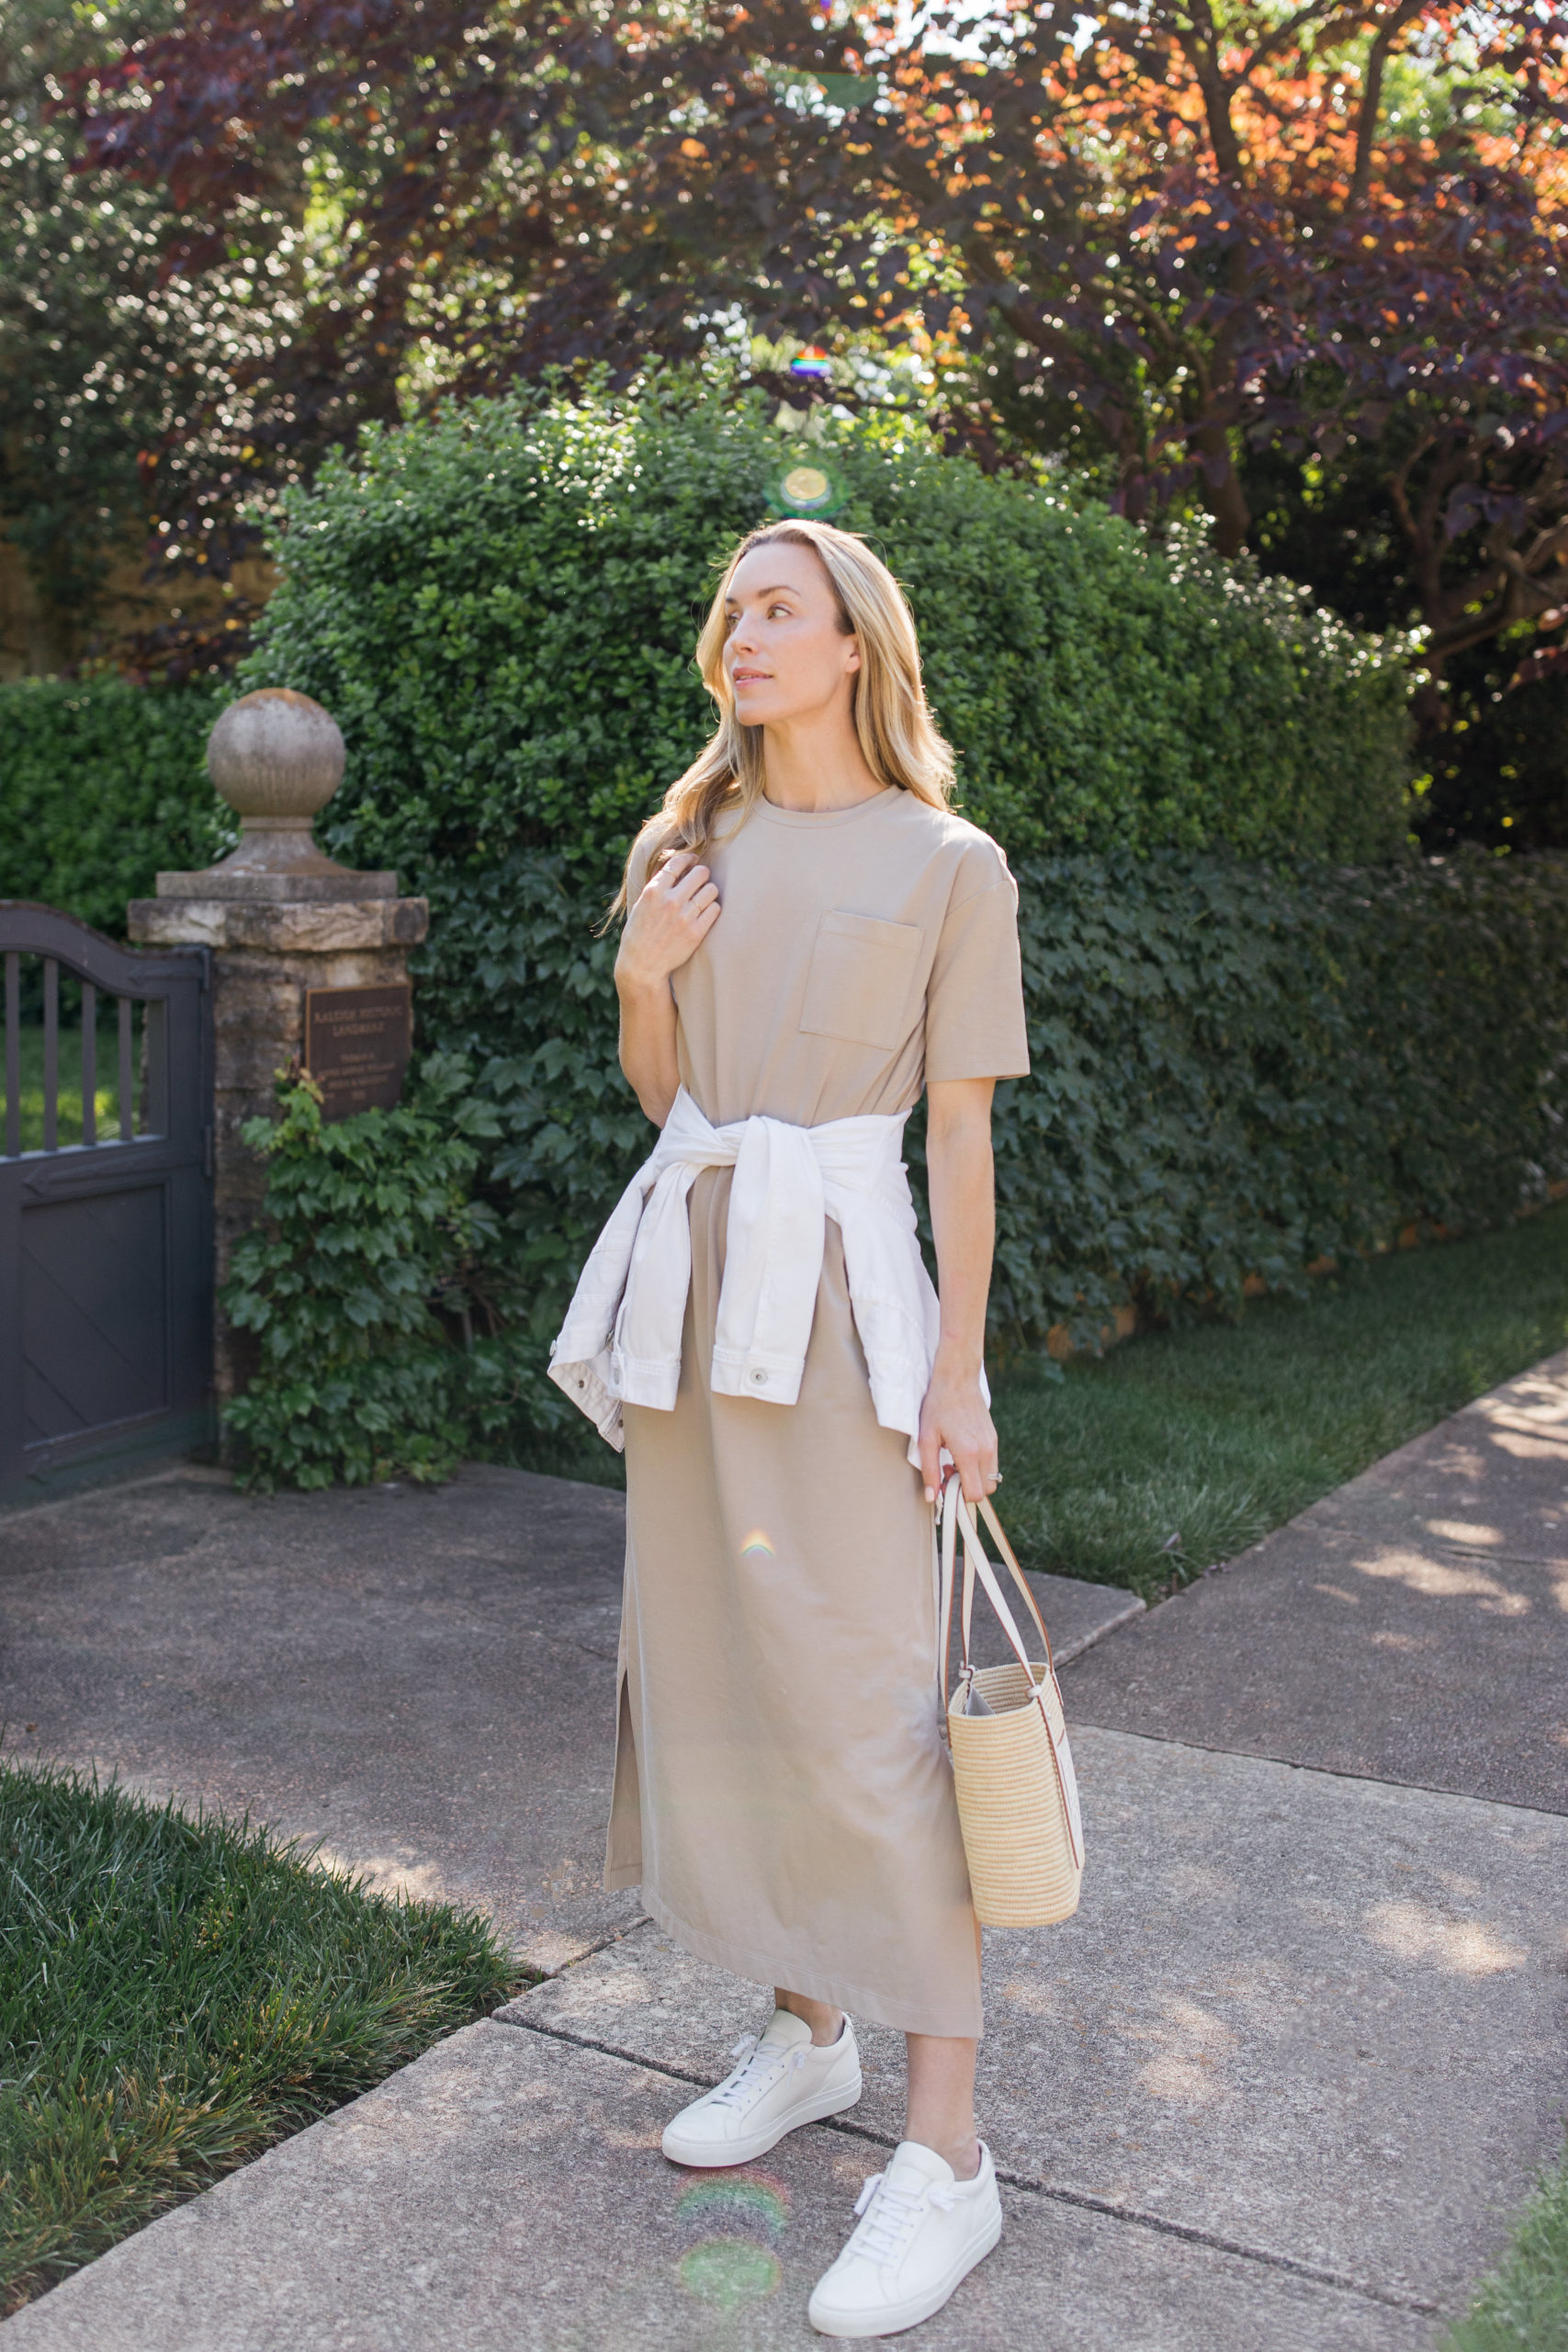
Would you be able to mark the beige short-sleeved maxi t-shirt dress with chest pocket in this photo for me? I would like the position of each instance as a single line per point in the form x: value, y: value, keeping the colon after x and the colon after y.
x: 782, y: 1789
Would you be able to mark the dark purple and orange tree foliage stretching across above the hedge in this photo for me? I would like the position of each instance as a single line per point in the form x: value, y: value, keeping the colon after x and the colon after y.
x: 1165, y: 236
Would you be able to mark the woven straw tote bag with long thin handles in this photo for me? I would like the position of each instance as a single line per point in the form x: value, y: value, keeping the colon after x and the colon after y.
x: 1012, y: 1765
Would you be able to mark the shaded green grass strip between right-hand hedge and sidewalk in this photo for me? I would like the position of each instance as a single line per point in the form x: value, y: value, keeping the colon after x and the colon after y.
x: 1184, y: 1448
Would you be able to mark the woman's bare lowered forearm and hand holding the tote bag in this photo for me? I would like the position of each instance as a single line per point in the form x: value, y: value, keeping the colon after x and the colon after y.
x: 965, y: 1227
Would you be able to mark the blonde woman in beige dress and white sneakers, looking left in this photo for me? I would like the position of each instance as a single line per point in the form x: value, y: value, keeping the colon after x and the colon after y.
x: 810, y: 935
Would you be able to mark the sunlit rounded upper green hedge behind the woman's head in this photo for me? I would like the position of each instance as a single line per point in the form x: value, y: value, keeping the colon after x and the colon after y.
x: 500, y: 608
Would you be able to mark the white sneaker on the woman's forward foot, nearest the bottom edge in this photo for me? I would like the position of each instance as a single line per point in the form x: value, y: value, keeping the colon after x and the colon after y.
x: 920, y: 2233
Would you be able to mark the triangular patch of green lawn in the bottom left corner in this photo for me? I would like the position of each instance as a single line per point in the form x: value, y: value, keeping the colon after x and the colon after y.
x: 175, y: 1996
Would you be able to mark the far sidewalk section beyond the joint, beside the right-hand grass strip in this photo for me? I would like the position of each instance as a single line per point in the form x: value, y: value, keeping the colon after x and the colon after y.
x: 1412, y: 1626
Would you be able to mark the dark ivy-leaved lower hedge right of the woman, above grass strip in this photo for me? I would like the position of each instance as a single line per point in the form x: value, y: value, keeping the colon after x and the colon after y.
x: 1240, y: 1071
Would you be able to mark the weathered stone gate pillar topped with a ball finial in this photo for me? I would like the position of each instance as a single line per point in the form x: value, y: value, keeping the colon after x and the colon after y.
x: 281, y: 918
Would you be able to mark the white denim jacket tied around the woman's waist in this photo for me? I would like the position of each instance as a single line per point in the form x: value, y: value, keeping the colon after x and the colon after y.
x: 622, y: 1339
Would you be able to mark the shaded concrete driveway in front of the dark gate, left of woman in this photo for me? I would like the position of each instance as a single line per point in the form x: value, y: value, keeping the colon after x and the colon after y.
x: 417, y: 1678
